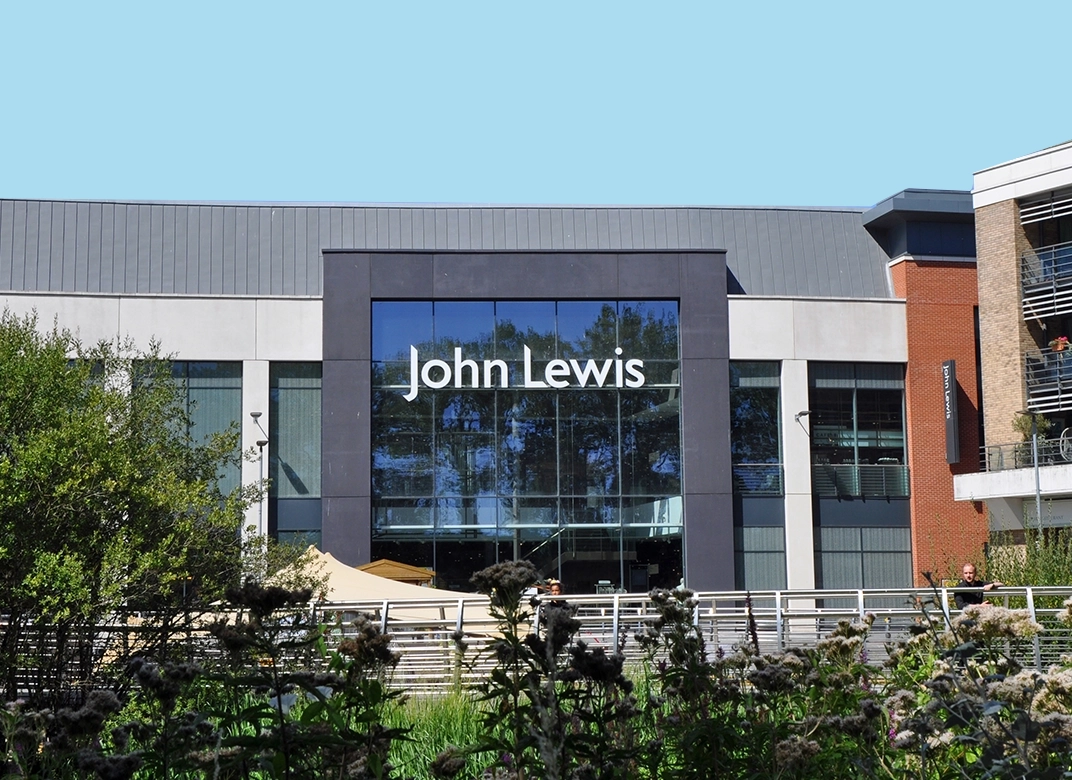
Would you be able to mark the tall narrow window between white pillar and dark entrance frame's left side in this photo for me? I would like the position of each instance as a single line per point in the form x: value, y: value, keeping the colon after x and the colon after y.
x: 294, y: 493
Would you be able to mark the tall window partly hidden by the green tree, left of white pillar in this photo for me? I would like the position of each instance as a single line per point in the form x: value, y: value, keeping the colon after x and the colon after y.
x: 215, y: 404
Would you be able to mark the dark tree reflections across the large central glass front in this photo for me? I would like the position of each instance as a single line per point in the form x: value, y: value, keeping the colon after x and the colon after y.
x: 454, y: 444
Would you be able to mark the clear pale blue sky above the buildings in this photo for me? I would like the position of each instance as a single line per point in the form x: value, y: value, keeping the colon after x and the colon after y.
x: 687, y: 103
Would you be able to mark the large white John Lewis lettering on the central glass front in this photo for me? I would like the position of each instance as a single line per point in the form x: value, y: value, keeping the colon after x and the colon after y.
x: 437, y: 374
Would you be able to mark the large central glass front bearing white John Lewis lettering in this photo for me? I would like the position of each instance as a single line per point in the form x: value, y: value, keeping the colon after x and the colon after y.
x: 547, y: 431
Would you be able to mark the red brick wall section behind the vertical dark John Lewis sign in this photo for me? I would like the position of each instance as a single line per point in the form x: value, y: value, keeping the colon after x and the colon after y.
x: 941, y: 301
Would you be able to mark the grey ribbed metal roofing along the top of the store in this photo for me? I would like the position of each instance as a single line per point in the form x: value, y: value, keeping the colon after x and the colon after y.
x: 275, y: 249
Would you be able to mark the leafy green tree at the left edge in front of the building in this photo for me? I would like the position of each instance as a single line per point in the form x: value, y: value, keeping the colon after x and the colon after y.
x: 108, y: 502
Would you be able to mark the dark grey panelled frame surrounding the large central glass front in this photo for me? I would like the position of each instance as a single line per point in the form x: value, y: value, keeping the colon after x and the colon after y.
x: 697, y: 280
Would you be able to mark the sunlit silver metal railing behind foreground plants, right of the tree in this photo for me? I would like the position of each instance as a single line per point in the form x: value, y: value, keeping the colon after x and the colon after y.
x: 431, y: 659
